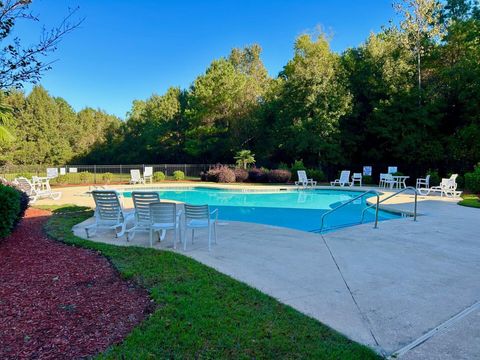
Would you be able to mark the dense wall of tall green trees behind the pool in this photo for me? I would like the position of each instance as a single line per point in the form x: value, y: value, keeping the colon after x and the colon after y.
x: 371, y: 105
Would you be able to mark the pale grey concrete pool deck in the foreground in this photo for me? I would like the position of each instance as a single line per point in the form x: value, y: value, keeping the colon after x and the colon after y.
x: 385, y: 287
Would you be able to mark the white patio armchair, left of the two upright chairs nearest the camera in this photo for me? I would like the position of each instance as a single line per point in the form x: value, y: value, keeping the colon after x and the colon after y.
x: 164, y: 216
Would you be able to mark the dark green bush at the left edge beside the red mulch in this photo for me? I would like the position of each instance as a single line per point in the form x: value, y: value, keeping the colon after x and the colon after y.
x: 10, y: 209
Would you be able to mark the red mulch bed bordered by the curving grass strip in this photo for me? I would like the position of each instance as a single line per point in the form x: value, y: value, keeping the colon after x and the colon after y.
x: 58, y: 301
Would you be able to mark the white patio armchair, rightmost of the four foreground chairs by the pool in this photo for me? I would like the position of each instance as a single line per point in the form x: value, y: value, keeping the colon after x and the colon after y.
x: 199, y: 216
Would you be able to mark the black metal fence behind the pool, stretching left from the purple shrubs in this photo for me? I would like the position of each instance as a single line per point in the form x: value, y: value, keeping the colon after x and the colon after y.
x: 97, y: 174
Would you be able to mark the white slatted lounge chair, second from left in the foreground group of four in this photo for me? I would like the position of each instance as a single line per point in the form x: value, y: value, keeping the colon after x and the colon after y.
x: 141, y: 203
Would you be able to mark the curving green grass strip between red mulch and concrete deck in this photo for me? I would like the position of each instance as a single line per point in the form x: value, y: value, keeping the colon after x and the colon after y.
x: 202, y: 313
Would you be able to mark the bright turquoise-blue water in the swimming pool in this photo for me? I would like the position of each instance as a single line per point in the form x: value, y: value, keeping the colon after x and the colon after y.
x: 301, y: 210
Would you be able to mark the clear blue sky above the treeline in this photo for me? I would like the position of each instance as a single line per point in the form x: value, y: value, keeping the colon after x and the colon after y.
x: 128, y: 49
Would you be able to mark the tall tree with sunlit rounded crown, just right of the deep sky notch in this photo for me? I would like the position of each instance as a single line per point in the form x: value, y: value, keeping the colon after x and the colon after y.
x: 313, y: 97
